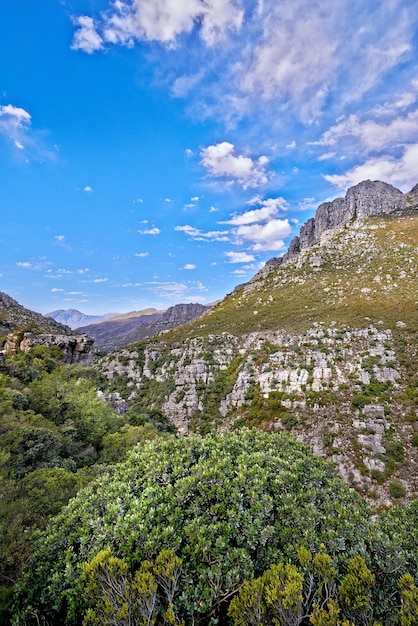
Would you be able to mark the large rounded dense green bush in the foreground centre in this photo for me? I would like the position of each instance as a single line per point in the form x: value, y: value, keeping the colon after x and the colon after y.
x: 228, y: 505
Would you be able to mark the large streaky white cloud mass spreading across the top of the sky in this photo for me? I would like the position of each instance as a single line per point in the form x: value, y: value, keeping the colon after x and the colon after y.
x: 295, y: 55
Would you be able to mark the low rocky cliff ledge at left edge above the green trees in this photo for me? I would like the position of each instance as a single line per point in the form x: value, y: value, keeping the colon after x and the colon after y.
x: 78, y: 349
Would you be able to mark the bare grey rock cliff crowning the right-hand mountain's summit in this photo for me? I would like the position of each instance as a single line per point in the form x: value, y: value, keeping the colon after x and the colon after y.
x: 365, y: 200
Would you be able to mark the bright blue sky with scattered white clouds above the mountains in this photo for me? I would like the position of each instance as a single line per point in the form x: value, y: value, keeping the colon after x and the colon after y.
x: 155, y: 152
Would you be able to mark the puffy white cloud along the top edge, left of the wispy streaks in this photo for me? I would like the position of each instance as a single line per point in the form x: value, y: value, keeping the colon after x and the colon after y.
x: 157, y: 20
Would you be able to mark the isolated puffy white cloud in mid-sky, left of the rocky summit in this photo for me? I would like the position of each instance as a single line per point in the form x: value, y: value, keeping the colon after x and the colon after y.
x: 220, y: 161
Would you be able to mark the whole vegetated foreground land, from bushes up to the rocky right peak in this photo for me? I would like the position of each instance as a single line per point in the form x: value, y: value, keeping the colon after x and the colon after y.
x: 133, y: 492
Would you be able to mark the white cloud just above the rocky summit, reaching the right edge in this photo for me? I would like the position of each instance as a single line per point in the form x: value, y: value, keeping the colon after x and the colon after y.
x: 400, y: 172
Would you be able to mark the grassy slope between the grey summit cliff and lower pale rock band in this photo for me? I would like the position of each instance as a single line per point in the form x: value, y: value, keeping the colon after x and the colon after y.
x: 368, y: 275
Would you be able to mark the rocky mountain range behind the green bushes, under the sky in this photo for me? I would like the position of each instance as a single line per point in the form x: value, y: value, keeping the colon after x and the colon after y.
x: 321, y: 342
